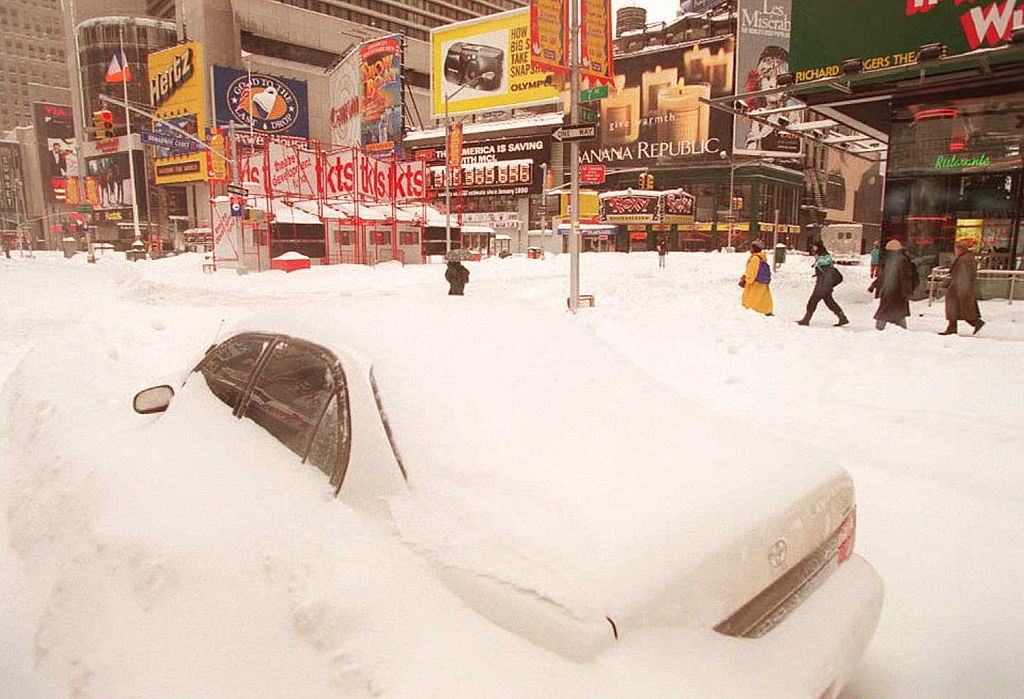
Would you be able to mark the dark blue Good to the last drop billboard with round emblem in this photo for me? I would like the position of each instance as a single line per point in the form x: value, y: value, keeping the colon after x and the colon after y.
x: 272, y: 106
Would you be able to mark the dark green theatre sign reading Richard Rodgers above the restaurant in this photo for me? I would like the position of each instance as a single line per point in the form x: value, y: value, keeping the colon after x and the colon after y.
x: 889, y: 33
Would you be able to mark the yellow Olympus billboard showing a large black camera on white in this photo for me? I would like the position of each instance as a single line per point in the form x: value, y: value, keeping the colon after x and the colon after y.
x: 488, y: 63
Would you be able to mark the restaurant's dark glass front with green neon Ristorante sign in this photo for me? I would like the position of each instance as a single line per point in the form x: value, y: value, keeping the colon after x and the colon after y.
x: 955, y: 173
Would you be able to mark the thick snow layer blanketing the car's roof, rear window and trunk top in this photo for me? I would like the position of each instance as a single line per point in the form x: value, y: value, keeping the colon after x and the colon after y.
x: 548, y: 457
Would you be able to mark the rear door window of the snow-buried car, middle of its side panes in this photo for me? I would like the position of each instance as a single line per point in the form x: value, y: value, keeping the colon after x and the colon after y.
x: 291, y: 394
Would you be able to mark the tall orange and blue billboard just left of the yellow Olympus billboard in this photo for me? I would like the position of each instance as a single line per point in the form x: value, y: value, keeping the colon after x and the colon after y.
x: 381, y: 113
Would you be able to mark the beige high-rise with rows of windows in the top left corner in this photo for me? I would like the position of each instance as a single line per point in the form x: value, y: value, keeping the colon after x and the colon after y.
x: 33, y: 51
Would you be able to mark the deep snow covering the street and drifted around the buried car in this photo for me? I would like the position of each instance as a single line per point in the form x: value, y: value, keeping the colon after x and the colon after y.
x: 929, y: 427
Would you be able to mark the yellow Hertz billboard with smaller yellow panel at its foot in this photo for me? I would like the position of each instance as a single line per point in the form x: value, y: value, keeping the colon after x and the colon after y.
x: 178, y: 95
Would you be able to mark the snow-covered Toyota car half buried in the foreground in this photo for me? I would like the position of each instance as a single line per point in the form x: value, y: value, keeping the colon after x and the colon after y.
x: 561, y: 492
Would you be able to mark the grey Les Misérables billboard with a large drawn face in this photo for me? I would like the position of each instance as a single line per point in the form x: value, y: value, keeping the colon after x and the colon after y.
x: 762, y: 56
